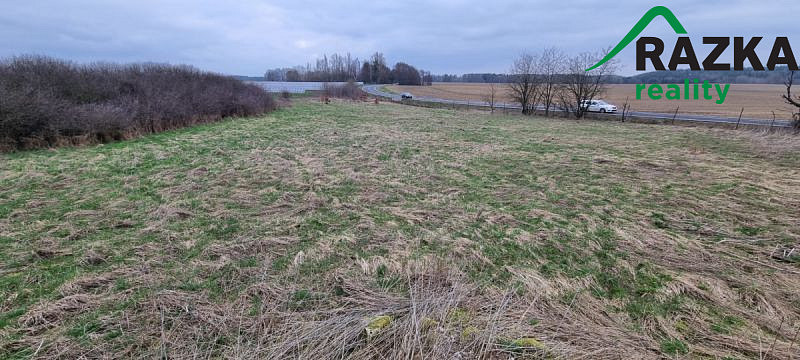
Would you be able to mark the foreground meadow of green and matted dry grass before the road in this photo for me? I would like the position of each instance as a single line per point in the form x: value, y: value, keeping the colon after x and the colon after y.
x: 367, y: 231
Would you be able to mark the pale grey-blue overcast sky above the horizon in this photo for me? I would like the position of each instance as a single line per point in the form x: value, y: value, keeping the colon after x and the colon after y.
x: 245, y: 37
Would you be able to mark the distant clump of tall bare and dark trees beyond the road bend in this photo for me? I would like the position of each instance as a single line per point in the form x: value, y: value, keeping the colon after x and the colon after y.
x: 342, y: 68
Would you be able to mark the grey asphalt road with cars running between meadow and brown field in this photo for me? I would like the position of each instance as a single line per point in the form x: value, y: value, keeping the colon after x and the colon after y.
x: 375, y: 90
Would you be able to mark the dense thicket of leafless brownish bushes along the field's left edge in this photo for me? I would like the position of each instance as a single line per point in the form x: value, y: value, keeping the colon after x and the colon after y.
x: 50, y: 102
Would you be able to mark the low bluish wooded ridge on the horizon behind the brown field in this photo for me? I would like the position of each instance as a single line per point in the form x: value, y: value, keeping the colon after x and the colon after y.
x: 748, y: 76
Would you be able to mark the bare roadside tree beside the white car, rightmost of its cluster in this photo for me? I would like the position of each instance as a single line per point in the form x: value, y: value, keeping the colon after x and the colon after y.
x: 581, y: 86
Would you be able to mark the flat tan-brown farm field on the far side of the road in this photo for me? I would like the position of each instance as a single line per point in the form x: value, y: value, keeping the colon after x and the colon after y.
x: 758, y: 100
